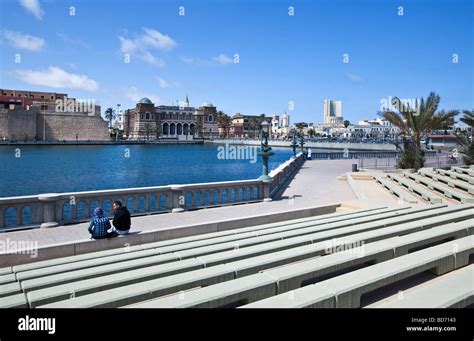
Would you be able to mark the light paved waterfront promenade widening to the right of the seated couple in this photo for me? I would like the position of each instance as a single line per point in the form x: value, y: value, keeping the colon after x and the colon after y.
x: 314, y: 186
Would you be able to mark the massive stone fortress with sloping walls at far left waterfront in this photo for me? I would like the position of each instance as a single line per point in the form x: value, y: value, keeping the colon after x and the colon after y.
x: 49, y: 116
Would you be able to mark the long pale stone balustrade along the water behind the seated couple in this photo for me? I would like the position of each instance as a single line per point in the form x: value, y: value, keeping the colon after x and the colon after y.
x: 54, y: 209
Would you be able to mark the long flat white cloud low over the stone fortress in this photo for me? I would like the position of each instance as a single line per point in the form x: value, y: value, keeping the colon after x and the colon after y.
x: 56, y: 77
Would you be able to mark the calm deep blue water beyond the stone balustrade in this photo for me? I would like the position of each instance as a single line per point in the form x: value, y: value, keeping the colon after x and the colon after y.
x: 45, y: 169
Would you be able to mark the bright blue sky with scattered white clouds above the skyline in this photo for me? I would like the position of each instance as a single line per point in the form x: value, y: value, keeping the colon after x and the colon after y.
x: 281, y: 58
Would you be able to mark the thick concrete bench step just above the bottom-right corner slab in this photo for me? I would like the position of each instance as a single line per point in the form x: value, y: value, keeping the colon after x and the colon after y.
x: 345, y: 291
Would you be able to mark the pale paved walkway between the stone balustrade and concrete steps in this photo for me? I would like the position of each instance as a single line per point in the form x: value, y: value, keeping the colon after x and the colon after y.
x: 316, y: 184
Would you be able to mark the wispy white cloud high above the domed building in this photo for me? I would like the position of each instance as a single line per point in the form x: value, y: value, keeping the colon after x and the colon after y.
x: 140, y: 45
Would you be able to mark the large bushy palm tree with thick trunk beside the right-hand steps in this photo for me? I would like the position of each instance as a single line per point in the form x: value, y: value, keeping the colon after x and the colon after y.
x: 414, y: 124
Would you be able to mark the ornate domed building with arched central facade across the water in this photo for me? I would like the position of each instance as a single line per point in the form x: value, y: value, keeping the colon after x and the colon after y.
x: 181, y: 122
